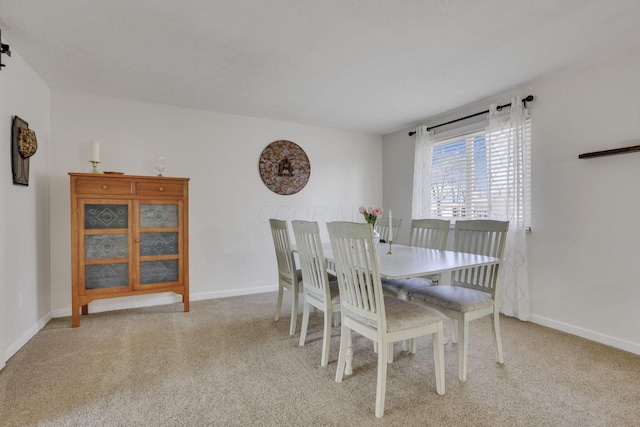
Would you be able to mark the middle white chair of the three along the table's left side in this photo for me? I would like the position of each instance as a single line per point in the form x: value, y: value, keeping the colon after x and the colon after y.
x: 317, y: 290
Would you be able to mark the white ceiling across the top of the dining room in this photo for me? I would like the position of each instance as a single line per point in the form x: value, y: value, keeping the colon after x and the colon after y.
x: 374, y: 66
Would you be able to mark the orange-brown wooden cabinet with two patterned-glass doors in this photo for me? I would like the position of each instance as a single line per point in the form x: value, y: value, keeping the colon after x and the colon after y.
x: 129, y: 236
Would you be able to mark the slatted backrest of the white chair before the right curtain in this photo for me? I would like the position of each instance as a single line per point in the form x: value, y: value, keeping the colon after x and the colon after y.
x: 482, y: 237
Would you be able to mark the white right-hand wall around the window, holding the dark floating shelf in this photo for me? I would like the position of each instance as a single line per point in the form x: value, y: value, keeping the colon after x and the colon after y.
x: 583, y: 251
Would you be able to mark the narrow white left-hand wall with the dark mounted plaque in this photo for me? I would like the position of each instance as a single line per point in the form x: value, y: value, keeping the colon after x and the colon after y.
x: 24, y: 216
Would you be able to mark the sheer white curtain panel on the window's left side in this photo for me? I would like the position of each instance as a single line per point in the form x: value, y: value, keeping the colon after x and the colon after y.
x: 421, y: 201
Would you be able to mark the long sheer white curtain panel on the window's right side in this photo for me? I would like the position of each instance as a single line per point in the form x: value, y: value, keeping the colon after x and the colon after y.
x: 508, y: 198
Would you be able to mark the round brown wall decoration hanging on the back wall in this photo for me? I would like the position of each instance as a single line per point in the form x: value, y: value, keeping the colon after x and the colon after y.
x: 284, y: 167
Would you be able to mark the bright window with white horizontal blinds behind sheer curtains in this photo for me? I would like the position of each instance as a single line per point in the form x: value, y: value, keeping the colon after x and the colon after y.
x: 477, y: 175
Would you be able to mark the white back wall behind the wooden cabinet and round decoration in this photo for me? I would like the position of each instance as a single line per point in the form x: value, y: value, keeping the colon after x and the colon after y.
x: 231, y: 251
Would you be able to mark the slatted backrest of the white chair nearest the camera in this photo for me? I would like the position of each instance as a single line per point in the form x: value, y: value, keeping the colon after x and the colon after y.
x: 357, y: 270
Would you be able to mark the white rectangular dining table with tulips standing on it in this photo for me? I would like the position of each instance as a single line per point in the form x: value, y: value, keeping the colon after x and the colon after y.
x: 404, y: 262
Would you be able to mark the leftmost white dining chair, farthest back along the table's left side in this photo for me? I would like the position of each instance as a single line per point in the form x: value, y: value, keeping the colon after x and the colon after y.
x: 289, y: 276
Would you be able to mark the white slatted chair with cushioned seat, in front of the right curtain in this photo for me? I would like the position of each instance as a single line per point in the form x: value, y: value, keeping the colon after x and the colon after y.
x: 474, y: 292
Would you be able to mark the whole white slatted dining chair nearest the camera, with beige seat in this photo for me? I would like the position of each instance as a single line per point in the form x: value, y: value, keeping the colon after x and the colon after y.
x: 365, y: 310
